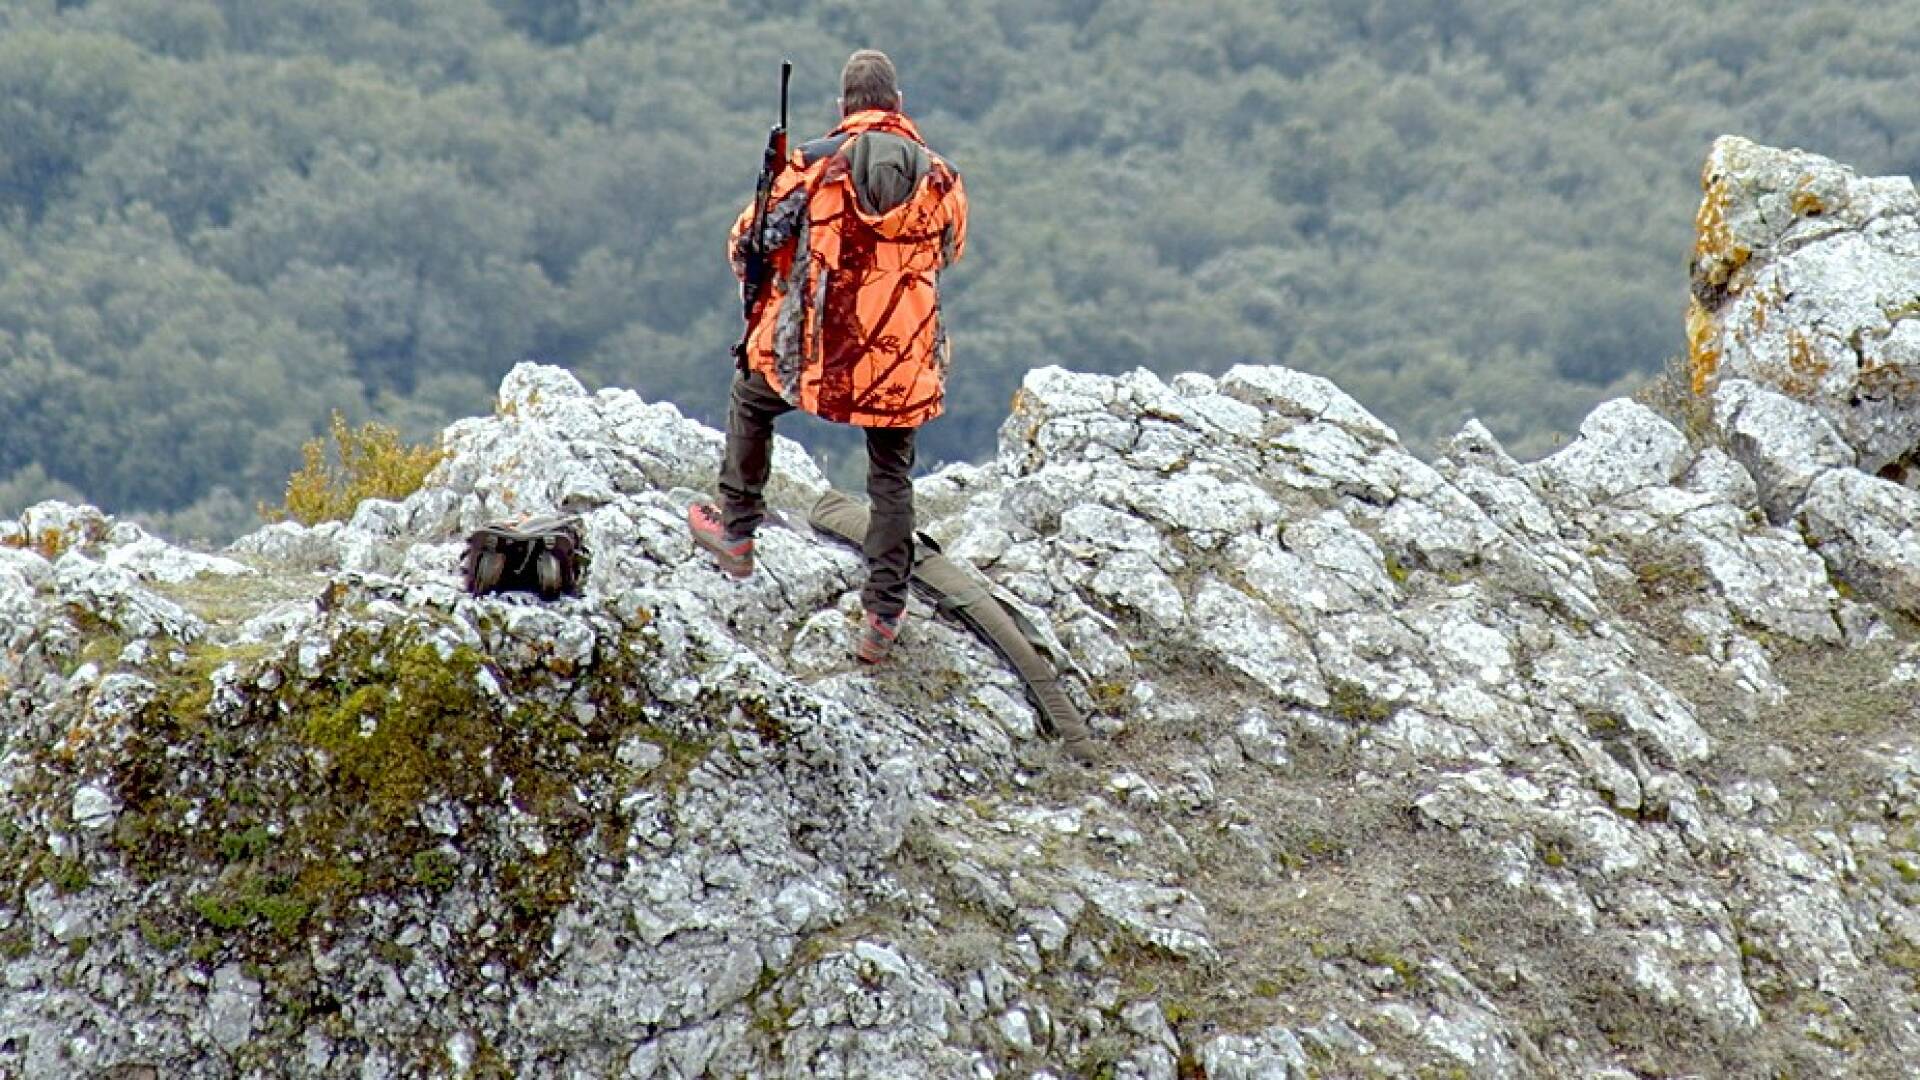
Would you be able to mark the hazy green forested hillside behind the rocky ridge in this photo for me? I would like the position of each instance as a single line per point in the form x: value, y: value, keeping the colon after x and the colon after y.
x: 224, y: 220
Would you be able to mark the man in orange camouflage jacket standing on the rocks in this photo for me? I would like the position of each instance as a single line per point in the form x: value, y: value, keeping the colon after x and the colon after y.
x: 859, y: 226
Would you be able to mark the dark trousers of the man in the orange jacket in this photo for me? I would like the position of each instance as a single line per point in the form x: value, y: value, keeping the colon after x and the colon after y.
x: 890, y: 489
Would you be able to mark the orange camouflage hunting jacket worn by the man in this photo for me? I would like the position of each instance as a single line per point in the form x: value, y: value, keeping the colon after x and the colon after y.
x: 850, y: 324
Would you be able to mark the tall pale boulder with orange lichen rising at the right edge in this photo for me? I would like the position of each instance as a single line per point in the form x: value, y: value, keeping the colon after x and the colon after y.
x: 1806, y: 331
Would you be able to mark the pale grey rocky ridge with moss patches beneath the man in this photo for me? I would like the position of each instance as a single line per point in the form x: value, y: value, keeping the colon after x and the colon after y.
x: 1596, y: 766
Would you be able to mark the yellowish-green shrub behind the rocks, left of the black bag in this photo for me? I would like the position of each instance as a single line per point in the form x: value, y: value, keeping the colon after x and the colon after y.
x: 368, y: 464
